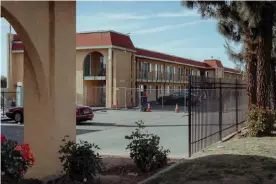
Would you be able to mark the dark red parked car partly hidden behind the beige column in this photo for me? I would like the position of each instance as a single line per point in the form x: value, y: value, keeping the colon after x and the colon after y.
x: 83, y: 113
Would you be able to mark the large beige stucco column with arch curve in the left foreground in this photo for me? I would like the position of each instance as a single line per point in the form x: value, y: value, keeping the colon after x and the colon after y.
x: 49, y: 89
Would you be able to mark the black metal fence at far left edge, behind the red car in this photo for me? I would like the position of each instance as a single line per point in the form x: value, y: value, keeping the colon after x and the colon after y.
x: 7, y: 101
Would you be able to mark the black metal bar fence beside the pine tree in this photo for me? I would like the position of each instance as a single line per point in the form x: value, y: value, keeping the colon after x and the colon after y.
x: 222, y: 109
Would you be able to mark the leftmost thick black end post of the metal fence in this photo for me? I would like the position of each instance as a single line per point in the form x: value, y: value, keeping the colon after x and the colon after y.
x: 190, y: 115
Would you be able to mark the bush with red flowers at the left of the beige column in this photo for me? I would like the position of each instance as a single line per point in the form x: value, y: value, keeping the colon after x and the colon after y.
x: 15, y: 159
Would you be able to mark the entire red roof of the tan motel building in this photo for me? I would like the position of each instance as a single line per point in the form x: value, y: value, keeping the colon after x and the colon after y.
x: 109, y: 38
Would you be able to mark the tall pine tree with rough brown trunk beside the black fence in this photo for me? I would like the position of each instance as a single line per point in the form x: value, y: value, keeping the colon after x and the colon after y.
x: 248, y: 23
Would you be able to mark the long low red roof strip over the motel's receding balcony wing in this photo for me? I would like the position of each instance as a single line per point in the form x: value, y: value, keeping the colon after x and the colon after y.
x: 158, y: 55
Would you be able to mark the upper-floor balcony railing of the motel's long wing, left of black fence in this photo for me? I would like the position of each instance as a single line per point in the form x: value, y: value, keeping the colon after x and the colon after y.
x: 160, y: 76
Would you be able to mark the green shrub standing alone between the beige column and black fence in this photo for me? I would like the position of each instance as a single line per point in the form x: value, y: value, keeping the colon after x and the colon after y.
x: 145, y: 151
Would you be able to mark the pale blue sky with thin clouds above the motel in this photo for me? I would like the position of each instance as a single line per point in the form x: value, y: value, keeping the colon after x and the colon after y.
x: 160, y: 26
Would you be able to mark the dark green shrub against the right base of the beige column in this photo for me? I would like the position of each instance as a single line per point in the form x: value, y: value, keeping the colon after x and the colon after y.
x: 79, y: 161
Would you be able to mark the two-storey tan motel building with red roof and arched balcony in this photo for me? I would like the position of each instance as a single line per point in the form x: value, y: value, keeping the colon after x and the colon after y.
x: 110, y: 70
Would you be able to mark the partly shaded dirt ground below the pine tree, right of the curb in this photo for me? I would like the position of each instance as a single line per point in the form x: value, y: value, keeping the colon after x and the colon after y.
x: 237, y: 161
